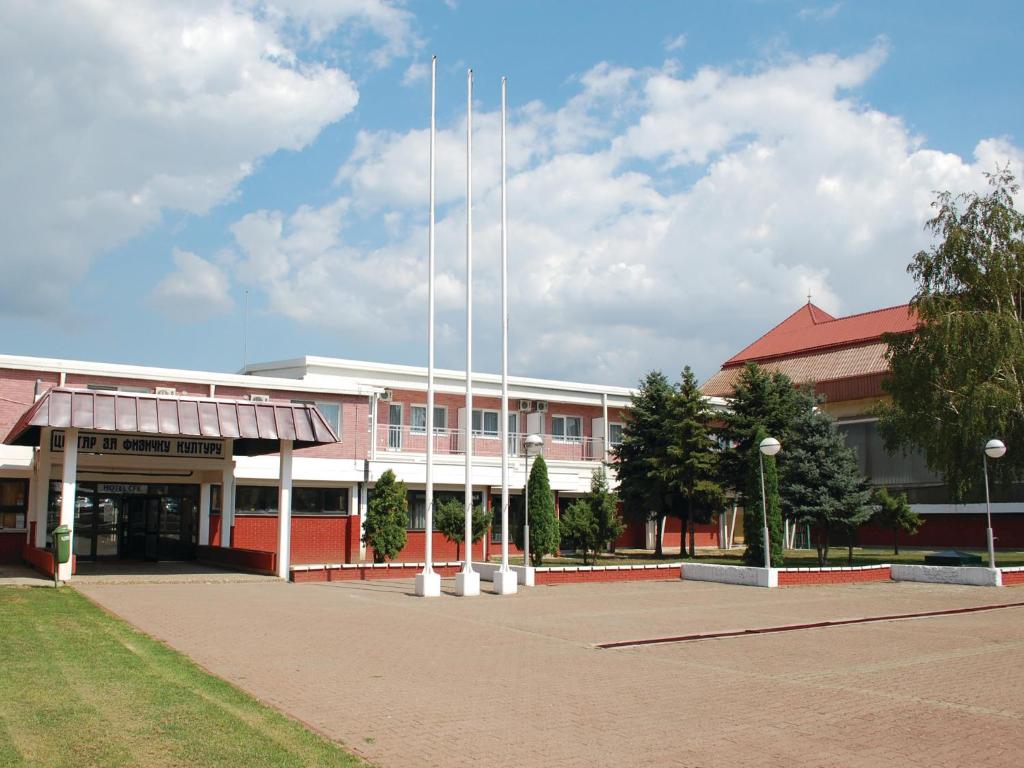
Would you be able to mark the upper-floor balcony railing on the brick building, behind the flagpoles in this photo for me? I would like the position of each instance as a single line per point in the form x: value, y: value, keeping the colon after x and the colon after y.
x: 406, y: 440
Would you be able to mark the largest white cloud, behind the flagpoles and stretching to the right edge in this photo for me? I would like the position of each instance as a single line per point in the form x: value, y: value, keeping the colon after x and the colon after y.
x: 656, y: 221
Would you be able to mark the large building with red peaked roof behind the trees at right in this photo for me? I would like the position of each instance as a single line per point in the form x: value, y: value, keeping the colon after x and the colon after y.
x: 844, y: 359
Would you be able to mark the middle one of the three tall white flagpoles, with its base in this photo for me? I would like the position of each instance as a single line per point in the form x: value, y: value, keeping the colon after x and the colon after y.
x: 467, y: 583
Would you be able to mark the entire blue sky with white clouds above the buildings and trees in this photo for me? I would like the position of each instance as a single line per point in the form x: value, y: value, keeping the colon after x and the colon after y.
x: 681, y: 176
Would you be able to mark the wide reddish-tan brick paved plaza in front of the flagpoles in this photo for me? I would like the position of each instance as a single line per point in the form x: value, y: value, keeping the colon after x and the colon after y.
x: 518, y: 681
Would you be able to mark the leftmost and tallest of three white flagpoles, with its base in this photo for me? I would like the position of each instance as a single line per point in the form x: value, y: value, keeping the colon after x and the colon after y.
x: 429, y: 583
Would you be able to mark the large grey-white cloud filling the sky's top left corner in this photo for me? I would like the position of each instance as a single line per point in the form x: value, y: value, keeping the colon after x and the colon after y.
x: 119, y: 112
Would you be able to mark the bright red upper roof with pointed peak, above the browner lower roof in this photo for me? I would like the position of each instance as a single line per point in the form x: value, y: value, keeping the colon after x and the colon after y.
x: 812, y: 329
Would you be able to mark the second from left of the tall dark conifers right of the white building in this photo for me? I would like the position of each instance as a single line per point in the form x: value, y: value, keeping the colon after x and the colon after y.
x: 691, y: 470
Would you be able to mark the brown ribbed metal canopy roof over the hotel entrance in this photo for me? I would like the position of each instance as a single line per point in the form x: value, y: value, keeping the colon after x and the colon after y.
x: 255, y: 428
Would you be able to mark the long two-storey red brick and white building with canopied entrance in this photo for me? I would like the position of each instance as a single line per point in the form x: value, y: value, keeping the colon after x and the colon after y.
x: 173, y: 464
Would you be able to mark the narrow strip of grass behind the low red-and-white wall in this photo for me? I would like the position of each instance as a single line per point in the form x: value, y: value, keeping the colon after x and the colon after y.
x: 795, y: 559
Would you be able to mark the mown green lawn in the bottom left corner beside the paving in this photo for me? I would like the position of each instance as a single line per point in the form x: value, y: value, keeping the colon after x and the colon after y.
x: 125, y: 699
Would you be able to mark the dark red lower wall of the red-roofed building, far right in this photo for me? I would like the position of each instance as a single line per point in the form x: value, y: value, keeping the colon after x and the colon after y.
x: 963, y: 531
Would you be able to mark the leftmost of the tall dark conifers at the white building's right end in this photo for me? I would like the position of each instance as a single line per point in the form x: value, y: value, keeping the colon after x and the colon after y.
x: 643, y: 455
